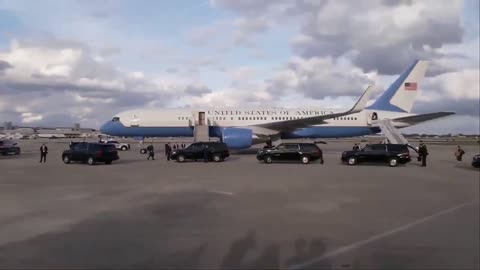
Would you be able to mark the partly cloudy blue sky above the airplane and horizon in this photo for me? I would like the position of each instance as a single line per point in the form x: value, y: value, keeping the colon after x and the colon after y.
x: 83, y: 61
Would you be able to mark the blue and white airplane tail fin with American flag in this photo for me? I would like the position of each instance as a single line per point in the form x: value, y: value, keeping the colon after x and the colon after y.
x: 401, y: 94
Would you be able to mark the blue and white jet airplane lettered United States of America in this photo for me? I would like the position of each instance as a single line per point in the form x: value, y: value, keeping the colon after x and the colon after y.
x: 242, y: 128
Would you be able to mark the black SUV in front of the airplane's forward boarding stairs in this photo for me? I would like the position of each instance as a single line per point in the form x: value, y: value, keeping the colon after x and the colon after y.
x: 217, y: 151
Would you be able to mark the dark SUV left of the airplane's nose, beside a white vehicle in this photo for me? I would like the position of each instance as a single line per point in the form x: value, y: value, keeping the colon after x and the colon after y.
x: 90, y: 153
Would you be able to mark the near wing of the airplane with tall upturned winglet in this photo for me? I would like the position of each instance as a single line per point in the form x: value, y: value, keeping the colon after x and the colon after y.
x: 289, y: 125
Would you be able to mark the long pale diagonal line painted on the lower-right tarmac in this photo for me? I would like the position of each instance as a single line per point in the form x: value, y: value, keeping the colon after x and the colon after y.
x: 380, y: 236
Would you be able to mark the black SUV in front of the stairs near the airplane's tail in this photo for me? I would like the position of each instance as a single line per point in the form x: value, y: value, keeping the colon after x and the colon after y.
x: 392, y: 154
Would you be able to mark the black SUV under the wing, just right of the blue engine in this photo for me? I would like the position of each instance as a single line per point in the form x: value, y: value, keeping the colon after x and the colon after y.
x: 304, y: 152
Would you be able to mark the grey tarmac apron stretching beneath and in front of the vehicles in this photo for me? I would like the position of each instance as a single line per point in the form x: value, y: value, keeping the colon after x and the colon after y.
x: 238, y: 214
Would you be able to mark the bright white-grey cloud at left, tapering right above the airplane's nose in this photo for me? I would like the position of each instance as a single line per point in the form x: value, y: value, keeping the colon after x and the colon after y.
x: 52, y: 78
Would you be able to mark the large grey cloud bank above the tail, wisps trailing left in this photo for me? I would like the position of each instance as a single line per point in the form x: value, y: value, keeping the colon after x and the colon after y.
x: 385, y: 39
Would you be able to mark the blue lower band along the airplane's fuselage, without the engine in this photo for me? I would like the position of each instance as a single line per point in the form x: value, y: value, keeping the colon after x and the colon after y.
x: 117, y: 129
